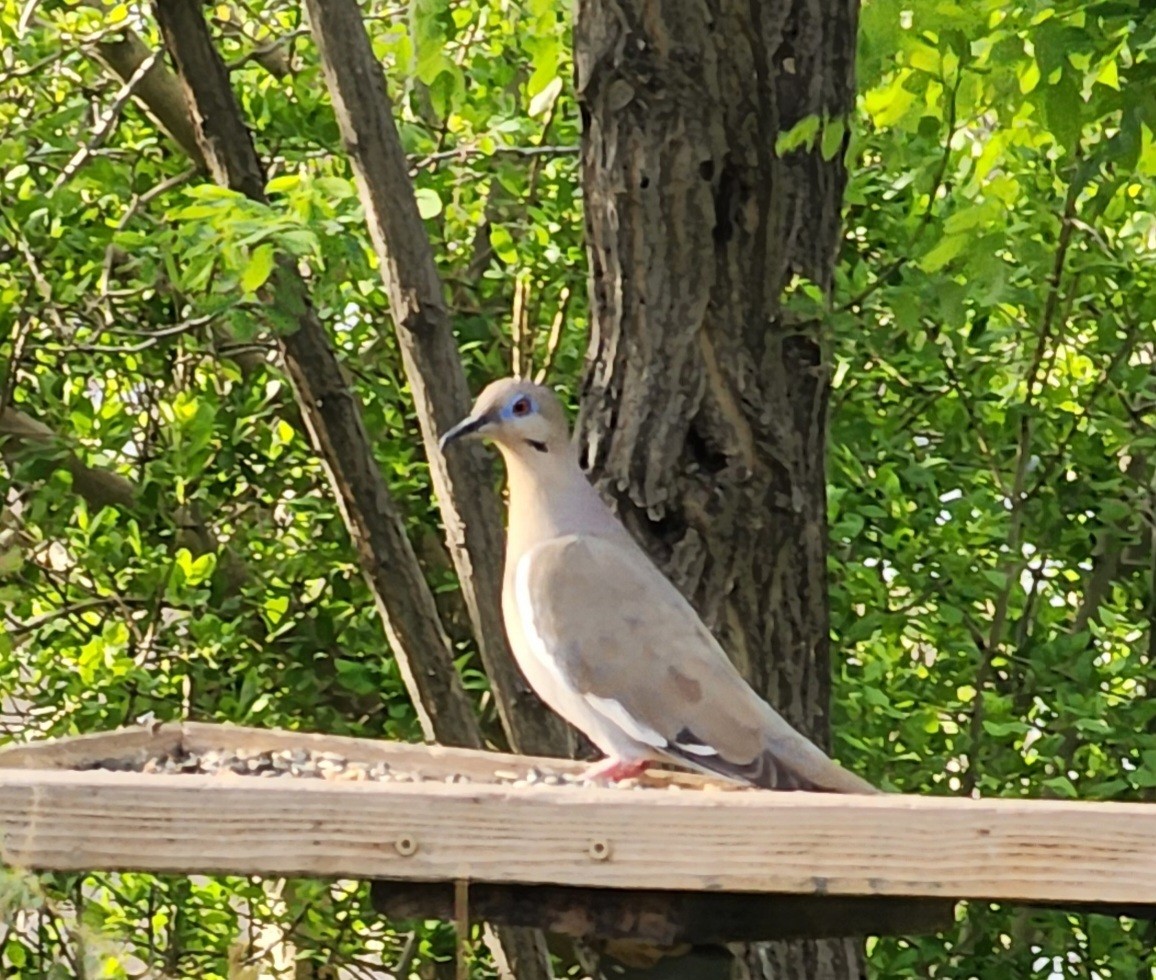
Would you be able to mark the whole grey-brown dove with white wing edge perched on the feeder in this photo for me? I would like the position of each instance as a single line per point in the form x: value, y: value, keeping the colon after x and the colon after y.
x: 603, y: 635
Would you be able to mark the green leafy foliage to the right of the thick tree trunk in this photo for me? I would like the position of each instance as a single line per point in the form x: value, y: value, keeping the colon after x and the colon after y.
x: 992, y: 442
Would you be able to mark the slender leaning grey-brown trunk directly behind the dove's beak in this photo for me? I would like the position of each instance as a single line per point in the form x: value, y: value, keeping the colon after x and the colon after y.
x: 429, y: 354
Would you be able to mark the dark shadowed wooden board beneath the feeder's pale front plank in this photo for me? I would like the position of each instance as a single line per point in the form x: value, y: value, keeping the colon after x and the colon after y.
x: 670, y: 918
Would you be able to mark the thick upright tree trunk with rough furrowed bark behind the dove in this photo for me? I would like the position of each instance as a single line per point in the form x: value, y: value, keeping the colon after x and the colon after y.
x: 705, y: 406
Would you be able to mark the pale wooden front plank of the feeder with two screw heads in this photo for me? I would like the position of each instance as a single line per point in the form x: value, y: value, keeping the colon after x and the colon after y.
x: 592, y: 837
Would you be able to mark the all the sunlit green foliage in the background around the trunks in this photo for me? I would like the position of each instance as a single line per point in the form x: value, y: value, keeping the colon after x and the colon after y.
x: 169, y: 547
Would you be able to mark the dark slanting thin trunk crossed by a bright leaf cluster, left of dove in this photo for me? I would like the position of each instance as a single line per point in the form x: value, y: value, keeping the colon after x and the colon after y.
x: 328, y: 406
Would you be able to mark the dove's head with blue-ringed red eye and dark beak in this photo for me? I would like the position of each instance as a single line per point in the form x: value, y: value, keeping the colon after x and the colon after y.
x: 518, y: 415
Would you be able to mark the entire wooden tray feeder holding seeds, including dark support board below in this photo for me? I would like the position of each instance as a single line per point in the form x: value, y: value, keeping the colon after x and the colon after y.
x: 670, y: 858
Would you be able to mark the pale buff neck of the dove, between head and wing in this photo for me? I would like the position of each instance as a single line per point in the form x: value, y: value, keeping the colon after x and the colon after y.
x: 551, y: 498
